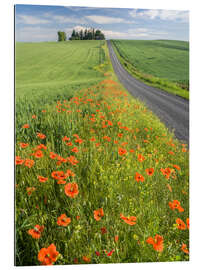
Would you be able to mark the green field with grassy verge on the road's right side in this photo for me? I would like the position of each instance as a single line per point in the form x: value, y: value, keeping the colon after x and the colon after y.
x: 160, y: 63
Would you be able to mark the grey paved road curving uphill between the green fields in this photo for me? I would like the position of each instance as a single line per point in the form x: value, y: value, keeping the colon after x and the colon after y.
x: 171, y: 110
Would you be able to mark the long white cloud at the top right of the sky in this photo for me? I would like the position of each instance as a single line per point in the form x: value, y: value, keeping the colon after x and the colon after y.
x: 171, y: 15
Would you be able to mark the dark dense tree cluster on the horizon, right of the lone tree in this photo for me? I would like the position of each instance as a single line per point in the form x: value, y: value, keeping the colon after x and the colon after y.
x: 87, y: 34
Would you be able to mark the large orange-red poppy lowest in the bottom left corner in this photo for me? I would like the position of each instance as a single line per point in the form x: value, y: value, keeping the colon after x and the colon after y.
x: 47, y: 256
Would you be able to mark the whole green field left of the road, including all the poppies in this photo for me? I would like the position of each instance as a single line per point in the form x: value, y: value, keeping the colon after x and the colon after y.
x: 99, y: 179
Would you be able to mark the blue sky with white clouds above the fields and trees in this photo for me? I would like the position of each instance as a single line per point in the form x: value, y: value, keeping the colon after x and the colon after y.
x: 41, y: 23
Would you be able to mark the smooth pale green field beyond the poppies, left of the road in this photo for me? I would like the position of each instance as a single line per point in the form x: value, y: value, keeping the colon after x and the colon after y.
x: 50, y: 69
